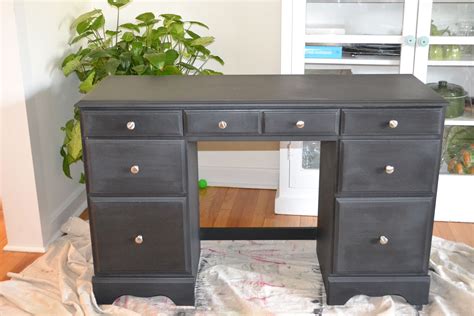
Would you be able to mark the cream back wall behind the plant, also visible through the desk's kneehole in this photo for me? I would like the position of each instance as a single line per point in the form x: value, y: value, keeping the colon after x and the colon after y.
x: 247, y: 36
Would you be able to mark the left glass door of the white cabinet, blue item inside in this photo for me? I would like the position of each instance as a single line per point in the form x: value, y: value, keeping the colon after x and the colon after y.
x: 371, y: 36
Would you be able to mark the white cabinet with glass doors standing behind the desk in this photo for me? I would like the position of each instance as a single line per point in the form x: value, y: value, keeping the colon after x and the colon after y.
x: 434, y: 40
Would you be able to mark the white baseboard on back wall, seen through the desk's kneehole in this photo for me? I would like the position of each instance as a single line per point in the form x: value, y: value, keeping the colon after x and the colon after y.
x: 254, y: 178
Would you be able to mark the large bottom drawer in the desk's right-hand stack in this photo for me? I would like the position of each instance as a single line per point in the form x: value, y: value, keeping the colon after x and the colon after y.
x: 383, y: 235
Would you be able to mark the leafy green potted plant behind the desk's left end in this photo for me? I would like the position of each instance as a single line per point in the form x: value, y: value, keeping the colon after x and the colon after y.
x: 151, y: 45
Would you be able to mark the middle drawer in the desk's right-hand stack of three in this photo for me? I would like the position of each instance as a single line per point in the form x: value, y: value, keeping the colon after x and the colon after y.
x: 389, y: 165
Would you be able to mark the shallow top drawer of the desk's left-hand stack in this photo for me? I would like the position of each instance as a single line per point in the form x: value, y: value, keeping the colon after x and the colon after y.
x: 132, y: 123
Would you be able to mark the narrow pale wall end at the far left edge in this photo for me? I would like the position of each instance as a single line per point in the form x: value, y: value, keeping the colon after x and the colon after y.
x: 18, y: 188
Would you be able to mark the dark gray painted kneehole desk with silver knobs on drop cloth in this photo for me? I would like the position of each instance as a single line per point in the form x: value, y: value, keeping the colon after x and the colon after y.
x: 381, y: 143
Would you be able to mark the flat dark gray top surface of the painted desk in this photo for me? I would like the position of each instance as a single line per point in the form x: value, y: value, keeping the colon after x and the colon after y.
x: 231, y: 90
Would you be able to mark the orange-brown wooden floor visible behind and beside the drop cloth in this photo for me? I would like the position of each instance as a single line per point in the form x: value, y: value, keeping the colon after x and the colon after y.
x: 232, y: 207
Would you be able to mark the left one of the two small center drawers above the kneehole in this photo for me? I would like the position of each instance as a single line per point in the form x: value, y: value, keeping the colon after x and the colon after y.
x: 222, y: 122
